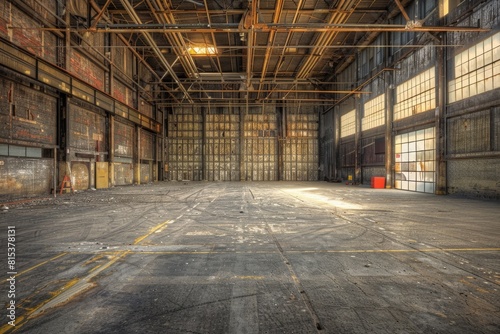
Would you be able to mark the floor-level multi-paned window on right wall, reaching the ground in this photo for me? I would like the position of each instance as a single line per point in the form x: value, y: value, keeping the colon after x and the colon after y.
x: 415, y: 161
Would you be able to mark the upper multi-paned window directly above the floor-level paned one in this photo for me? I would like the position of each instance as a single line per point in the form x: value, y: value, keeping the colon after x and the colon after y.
x: 416, y: 95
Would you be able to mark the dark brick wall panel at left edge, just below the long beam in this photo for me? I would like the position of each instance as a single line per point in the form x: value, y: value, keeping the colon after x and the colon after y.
x: 33, y: 118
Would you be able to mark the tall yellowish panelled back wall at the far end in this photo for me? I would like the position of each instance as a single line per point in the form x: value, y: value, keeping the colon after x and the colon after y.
x: 223, y: 147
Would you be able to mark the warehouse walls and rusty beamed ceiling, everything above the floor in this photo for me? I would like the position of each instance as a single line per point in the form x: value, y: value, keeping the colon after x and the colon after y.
x: 115, y: 93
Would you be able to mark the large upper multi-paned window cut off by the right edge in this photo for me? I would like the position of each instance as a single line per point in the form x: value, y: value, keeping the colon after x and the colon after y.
x: 477, y: 70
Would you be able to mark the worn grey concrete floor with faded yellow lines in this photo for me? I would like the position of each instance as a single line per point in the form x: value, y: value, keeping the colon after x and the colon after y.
x: 282, y: 257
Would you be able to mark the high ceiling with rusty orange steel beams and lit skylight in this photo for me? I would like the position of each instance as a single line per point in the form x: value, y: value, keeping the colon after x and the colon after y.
x: 235, y: 51
